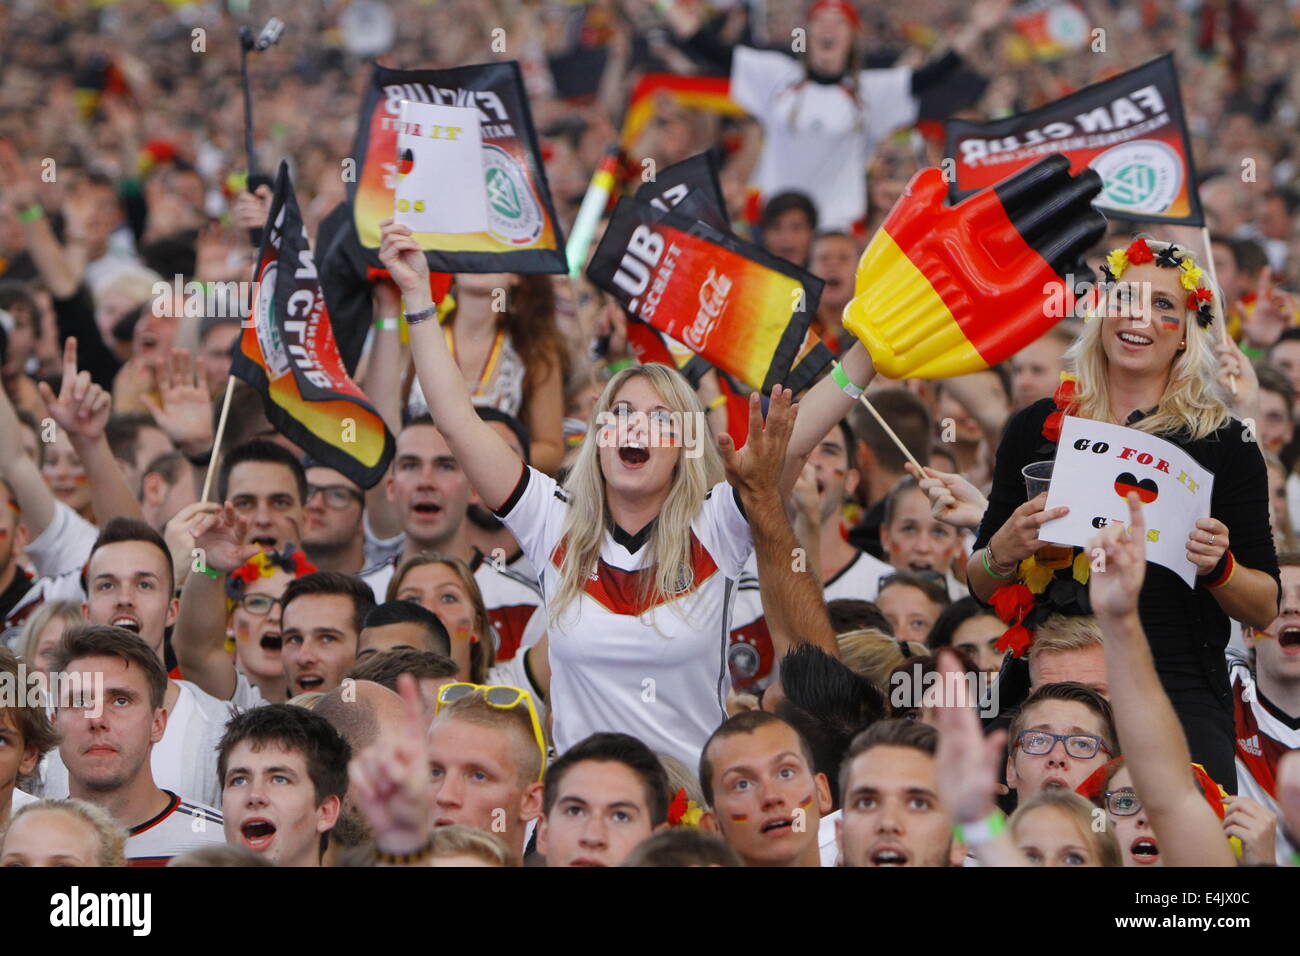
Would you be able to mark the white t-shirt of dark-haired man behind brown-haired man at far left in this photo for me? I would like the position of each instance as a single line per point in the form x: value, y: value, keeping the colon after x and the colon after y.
x: 185, y: 760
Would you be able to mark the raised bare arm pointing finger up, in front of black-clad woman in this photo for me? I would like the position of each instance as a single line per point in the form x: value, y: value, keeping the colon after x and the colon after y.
x: 1152, y: 739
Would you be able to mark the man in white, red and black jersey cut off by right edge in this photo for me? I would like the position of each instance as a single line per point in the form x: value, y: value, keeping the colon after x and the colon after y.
x: 1267, y: 699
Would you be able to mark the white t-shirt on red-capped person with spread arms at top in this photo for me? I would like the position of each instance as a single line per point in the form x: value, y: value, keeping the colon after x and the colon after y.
x: 820, y: 137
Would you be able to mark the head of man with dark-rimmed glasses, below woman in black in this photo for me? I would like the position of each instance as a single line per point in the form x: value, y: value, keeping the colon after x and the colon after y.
x: 1060, y: 737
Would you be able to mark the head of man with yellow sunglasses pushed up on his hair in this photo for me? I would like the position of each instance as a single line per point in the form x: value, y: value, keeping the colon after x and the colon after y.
x: 487, y: 758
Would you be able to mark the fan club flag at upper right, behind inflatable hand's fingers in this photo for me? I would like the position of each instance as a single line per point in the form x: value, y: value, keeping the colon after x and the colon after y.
x: 1129, y: 129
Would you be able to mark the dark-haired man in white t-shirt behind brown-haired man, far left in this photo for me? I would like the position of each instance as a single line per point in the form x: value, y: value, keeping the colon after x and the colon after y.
x: 129, y: 586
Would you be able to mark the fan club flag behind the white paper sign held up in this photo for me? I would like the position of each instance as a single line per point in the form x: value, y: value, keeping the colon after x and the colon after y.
x: 522, y: 232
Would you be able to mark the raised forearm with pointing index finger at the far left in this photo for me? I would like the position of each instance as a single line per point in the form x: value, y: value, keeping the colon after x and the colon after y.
x: 83, y: 410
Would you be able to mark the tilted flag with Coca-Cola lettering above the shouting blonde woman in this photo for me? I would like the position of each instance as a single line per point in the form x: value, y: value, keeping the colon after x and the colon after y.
x: 729, y: 301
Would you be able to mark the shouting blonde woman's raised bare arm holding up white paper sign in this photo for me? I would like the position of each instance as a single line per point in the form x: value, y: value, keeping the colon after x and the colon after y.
x: 492, y: 466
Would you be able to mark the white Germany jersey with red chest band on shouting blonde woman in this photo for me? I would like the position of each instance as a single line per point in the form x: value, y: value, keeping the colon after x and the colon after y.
x: 660, y: 677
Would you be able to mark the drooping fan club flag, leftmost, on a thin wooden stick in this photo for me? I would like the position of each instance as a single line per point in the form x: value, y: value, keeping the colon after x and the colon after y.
x: 289, y: 354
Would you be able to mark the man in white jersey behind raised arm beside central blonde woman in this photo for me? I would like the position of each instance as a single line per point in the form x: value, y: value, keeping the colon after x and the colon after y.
x: 847, y: 573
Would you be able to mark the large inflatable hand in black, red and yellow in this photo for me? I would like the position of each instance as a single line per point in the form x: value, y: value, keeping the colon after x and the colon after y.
x: 951, y: 291
